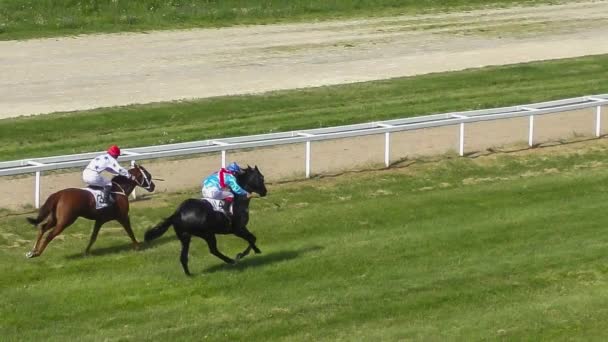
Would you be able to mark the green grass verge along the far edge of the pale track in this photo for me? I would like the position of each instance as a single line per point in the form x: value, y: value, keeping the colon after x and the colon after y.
x: 21, y: 19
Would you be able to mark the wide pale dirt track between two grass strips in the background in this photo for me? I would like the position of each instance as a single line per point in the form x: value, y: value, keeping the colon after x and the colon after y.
x: 64, y: 74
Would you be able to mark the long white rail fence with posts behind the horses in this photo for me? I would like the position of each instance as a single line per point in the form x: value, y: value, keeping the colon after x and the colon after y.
x: 39, y: 165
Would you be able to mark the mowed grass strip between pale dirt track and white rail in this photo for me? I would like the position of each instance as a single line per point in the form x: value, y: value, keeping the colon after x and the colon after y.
x: 162, y: 123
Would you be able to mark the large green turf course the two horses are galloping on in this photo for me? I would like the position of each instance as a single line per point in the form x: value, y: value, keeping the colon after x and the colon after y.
x: 501, y: 247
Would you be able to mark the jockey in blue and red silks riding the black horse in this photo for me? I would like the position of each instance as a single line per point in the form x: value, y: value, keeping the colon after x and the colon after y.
x: 219, y: 184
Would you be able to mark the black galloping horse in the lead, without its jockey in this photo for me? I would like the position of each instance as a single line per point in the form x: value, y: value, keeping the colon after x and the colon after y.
x: 197, y: 217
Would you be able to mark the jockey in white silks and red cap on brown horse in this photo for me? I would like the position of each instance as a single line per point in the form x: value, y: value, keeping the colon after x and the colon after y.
x: 105, y: 162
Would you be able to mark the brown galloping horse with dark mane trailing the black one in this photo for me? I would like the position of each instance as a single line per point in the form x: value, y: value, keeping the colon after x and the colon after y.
x: 62, y: 208
